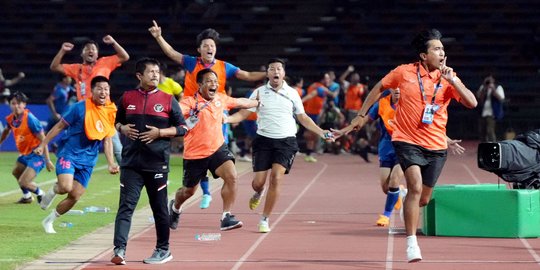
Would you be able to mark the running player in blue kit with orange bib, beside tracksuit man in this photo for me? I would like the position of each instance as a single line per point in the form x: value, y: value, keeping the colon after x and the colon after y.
x: 87, y: 123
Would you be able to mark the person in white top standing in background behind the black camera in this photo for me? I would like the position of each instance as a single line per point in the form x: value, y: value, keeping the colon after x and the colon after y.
x: 491, y: 96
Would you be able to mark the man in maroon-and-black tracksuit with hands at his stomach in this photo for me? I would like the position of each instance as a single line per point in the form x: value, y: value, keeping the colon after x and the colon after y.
x: 147, y: 118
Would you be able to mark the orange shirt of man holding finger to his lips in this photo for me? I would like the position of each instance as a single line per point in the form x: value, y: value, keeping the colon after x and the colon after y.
x: 408, y: 120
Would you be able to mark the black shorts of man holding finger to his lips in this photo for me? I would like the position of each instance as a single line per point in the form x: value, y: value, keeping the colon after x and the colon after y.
x: 431, y: 162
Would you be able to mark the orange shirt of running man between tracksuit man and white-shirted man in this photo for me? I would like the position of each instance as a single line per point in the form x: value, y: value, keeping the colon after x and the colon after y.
x: 206, y: 137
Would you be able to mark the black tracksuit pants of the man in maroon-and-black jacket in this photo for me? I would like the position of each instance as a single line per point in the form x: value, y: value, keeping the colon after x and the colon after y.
x: 131, y: 184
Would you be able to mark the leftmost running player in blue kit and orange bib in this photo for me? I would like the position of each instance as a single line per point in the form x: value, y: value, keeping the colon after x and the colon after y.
x: 28, y: 134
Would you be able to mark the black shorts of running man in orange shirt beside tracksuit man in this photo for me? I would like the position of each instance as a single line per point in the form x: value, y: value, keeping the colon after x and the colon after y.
x: 195, y: 169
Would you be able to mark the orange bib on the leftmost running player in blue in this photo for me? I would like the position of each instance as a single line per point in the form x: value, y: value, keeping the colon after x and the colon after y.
x: 25, y: 140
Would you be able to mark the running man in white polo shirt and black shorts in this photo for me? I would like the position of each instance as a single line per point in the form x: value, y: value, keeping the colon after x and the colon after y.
x: 275, y: 147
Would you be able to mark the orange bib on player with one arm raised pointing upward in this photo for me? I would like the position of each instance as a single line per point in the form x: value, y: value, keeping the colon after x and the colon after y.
x: 190, y: 84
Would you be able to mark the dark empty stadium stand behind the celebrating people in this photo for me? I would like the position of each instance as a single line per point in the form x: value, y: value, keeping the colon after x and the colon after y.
x: 481, y: 37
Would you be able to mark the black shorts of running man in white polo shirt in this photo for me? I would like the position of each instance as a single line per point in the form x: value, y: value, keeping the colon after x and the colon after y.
x: 268, y: 151
